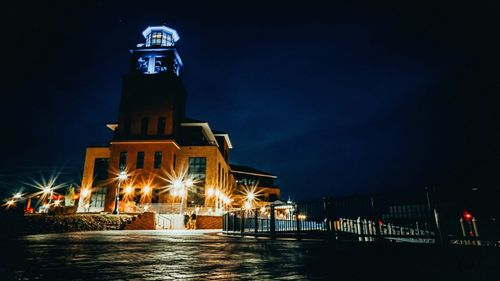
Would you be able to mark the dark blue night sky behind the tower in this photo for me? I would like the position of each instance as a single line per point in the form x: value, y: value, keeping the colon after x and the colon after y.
x: 333, y: 99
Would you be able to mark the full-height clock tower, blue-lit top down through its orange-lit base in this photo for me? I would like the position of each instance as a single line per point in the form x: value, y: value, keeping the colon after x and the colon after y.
x: 152, y: 108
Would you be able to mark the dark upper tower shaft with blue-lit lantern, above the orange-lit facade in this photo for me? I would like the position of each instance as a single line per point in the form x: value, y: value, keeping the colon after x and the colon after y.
x: 153, y: 96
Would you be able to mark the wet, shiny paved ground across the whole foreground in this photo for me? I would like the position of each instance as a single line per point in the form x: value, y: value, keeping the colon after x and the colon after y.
x: 201, y: 255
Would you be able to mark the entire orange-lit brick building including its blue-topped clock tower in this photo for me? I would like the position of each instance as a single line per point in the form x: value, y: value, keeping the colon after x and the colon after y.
x: 156, y: 146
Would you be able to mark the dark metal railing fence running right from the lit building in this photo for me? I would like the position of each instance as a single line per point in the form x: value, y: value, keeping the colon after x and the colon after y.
x: 408, y: 217
